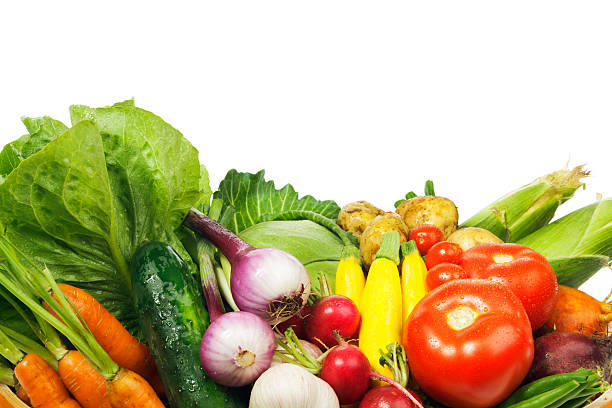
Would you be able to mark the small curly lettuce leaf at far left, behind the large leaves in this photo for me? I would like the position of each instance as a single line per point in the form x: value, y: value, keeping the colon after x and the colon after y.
x: 40, y: 132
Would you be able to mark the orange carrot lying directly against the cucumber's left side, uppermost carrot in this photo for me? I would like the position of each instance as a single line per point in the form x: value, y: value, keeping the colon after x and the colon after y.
x: 121, y: 346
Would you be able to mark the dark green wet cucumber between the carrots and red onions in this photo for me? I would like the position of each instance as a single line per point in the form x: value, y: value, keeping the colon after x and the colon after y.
x: 173, y: 320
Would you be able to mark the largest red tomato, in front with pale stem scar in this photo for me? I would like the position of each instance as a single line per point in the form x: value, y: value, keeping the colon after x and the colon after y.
x: 469, y: 343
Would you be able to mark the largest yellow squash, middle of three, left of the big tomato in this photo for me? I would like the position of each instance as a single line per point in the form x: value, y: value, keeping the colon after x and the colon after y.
x: 381, y: 303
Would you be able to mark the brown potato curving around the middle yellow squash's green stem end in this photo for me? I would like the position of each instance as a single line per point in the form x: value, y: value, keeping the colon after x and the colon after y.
x: 370, y: 239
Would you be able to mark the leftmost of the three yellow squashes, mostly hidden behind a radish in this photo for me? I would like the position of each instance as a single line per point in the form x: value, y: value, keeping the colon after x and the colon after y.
x: 350, y: 280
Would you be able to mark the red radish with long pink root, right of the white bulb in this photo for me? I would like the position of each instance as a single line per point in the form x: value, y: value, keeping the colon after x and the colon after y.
x: 348, y: 372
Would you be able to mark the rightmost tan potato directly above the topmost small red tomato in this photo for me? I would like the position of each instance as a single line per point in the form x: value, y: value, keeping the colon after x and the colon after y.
x: 435, y: 210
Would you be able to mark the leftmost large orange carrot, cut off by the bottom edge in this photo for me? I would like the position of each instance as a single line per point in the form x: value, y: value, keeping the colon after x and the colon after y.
x: 42, y: 384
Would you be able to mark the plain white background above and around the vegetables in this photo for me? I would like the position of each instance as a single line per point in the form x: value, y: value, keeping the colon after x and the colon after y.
x: 345, y: 100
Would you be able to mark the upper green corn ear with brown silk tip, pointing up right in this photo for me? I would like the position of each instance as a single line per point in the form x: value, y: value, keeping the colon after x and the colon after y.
x: 525, y: 210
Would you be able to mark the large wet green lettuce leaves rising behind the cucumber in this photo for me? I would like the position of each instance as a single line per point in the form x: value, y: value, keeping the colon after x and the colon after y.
x: 83, y: 204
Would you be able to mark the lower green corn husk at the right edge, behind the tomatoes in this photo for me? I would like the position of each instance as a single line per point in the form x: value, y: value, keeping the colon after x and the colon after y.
x: 577, y: 245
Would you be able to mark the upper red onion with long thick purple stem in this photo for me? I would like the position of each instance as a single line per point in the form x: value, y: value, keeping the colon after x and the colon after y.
x: 266, y: 281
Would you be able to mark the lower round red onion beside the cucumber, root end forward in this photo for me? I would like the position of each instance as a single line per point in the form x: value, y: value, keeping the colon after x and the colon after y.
x: 236, y: 348
